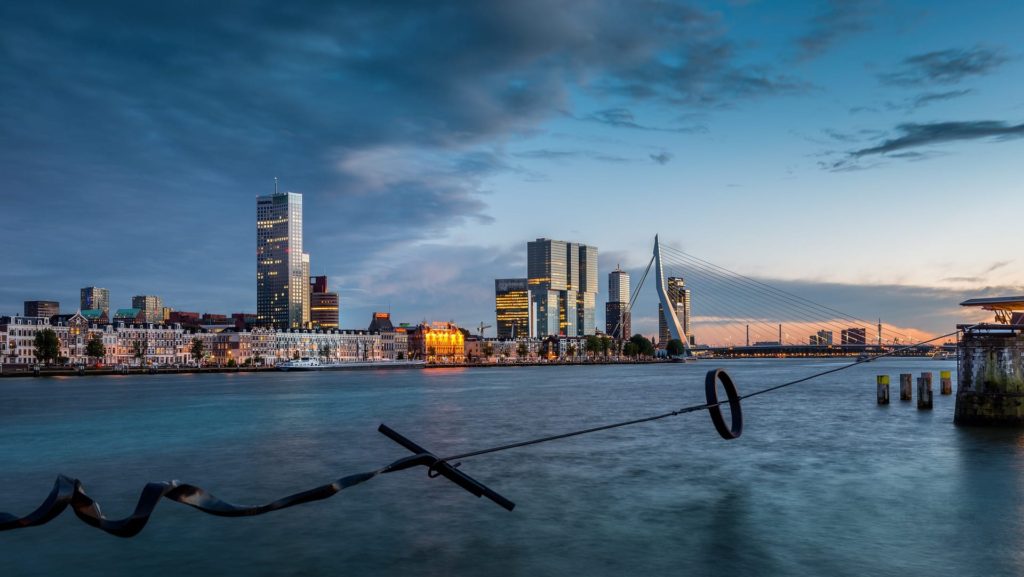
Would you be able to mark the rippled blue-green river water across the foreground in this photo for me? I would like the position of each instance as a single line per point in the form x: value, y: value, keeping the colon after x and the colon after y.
x: 823, y: 482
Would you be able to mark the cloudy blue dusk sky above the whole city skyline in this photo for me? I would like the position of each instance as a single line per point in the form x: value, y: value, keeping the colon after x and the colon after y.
x: 865, y: 154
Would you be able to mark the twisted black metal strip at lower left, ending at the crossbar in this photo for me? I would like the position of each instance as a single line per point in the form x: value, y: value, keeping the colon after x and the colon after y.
x: 70, y: 492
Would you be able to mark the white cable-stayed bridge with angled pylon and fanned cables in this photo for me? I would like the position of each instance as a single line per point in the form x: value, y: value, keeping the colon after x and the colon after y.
x: 715, y: 311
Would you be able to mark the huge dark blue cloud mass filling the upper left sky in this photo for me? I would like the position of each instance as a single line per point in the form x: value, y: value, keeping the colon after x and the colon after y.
x: 389, y: 116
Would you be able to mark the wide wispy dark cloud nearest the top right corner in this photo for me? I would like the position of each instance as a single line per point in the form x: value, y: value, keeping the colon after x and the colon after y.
x: 946, y: 67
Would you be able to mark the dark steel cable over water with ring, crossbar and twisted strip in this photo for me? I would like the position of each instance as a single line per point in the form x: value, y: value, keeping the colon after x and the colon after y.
x: 70, y: 492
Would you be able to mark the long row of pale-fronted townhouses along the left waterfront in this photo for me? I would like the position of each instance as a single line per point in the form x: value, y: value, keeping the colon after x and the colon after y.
x: 172, y: 345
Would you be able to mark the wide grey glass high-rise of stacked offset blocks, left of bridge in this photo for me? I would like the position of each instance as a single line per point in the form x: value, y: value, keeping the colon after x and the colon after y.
x: 563, y: 280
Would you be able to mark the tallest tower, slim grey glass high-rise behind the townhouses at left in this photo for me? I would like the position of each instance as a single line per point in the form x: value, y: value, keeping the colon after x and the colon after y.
x: 281, y: 281
